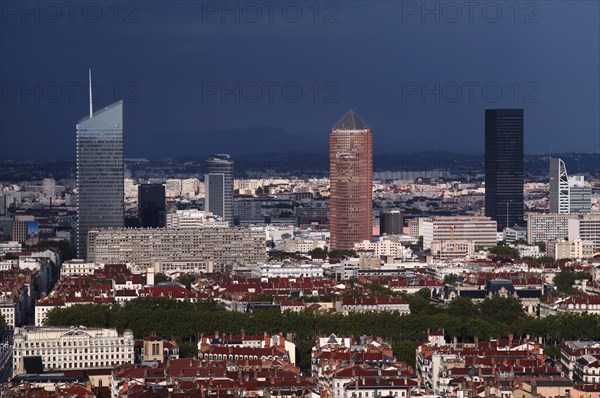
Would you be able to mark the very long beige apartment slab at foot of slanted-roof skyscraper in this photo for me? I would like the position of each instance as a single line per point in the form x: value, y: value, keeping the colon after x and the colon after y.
x: 145, y: 246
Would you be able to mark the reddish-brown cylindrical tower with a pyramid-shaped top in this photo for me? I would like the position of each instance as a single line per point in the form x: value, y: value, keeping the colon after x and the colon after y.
x: 351, y: 180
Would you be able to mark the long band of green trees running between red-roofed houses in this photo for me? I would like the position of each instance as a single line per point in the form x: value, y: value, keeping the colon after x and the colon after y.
x: 183, y: 320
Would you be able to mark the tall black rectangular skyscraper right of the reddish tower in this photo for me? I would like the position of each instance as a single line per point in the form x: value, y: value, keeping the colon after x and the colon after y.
x: 504, y: 166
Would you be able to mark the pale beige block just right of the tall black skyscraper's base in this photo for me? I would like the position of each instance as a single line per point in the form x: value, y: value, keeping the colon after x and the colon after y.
x: 545, y: 228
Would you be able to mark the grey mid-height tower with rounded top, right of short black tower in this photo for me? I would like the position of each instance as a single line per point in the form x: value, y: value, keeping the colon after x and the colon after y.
x: 218, y: 180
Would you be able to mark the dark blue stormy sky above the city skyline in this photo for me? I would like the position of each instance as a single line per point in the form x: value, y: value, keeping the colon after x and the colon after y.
x: 419, y: 73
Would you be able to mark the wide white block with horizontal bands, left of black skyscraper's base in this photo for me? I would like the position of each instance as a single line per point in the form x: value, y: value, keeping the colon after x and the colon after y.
x: 480, y: 230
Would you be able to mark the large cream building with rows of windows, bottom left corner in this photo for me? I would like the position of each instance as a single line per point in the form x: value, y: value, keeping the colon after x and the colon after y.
x: 72, y: 348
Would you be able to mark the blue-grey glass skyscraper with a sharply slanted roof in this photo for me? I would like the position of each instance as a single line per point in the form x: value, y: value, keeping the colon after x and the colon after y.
x: 100, y: 173
